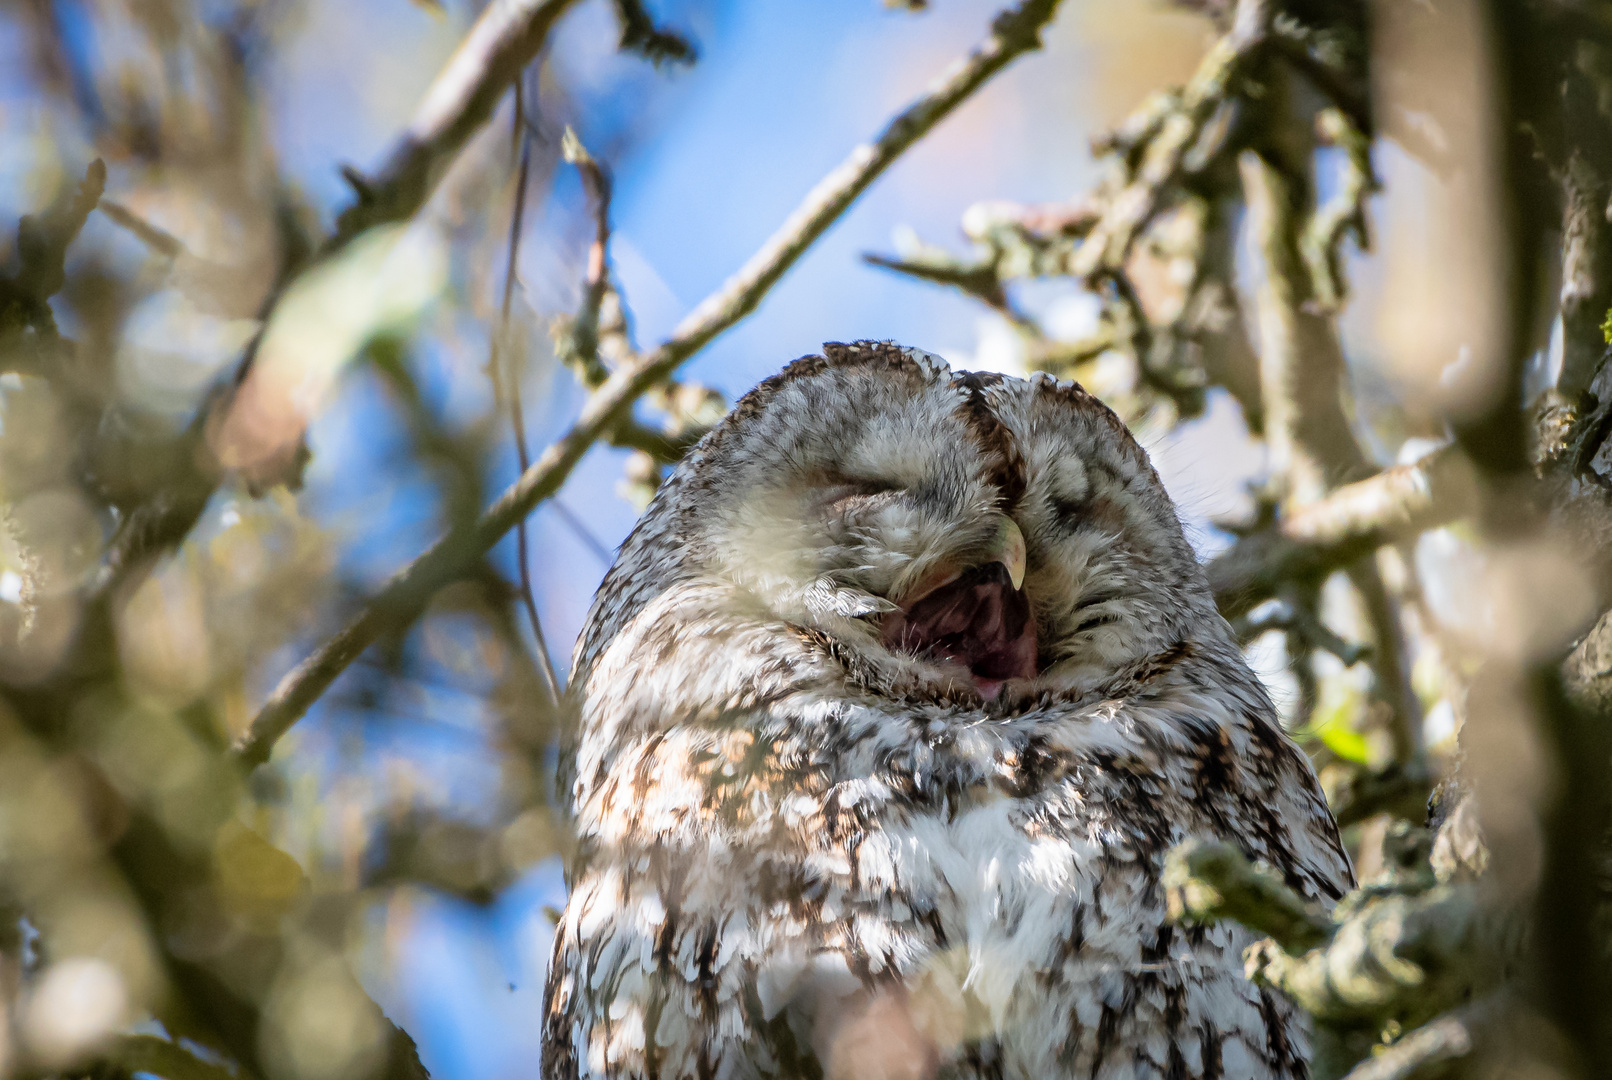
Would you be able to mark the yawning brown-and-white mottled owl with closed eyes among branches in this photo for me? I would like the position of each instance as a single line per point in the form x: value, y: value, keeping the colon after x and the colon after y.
x: 884, y: 723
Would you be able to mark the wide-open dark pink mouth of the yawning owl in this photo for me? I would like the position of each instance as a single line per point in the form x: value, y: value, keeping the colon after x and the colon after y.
x: 979, y: 621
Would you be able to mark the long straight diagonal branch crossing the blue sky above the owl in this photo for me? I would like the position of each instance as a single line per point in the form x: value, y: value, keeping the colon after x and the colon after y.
x: 1013, y: 33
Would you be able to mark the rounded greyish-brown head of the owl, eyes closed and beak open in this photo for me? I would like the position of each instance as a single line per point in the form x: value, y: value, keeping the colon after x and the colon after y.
x: 945, y: 534
